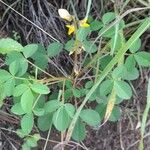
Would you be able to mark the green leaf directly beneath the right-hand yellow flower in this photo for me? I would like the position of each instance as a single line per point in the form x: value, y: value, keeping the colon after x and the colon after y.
x: 82, y: 33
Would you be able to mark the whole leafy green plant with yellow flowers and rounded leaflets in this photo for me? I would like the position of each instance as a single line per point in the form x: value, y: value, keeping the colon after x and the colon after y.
x: 113, y: 64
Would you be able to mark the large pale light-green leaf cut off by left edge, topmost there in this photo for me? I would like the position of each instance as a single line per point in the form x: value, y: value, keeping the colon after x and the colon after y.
x: 8, y: 45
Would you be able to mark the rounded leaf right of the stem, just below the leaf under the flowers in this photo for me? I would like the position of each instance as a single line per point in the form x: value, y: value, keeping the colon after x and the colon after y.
x: 89, y: 47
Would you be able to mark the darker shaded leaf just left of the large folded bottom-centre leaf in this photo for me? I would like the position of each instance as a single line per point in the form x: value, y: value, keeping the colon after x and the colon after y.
x: 45, y: 122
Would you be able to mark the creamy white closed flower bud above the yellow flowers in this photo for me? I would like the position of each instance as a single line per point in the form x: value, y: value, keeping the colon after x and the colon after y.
x: 64, y: 14
